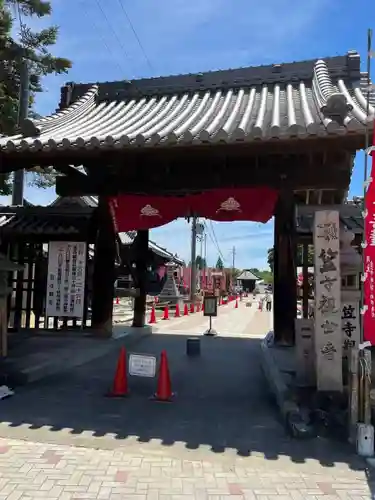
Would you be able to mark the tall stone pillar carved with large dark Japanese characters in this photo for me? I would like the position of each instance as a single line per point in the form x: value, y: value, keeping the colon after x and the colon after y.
x: 328, y: 334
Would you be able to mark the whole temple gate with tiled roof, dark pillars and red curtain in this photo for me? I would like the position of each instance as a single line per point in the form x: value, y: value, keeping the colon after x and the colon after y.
x: 239, y: 144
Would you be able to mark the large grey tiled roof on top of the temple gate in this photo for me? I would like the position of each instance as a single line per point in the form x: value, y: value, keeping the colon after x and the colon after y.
x: 306, y: 99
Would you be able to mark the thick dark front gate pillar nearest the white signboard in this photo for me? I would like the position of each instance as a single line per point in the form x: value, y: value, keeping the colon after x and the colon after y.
x: 104, y: 272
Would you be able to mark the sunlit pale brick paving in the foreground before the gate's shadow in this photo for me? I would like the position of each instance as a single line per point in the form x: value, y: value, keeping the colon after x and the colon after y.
x: 34, y: 470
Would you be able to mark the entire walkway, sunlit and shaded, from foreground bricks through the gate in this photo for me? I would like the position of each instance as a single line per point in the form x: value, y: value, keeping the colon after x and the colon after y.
x: 220, y: 438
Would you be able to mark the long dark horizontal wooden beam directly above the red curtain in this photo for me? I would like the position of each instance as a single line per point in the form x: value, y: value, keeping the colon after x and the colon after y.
x: 201, y: 178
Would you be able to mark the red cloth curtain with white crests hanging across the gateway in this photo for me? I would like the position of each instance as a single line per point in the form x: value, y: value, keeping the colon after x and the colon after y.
x: 145, y: 212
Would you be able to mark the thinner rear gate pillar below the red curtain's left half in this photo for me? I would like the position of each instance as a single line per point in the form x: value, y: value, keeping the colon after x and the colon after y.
x: 141, y: 261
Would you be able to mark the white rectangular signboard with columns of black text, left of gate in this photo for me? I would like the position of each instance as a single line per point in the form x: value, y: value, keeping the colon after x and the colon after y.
x: 66, y: 279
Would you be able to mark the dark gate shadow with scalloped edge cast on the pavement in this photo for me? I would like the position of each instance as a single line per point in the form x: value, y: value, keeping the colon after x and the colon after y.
x: 222, y: 403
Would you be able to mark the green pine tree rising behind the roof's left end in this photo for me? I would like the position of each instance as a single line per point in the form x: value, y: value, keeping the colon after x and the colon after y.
x: 34, y: 46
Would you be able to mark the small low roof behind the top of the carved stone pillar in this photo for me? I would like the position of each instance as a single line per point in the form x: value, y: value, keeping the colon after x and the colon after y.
x: 350, y: 217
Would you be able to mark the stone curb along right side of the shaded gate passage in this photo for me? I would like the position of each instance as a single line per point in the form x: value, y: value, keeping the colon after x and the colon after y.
x: 290, y: 412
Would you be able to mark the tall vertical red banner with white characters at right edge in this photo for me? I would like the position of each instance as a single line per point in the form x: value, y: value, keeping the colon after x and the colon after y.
x: 369, y: 258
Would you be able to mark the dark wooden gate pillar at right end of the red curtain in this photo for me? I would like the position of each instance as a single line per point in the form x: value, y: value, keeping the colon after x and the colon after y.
x: 285, y: 288
